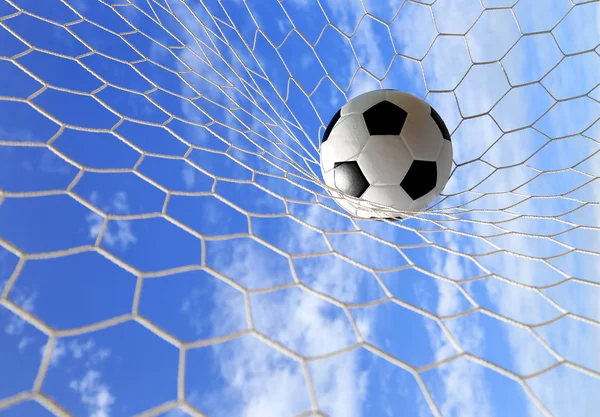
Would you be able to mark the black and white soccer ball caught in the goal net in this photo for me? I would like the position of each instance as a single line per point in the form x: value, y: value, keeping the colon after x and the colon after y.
x: 386, y: 153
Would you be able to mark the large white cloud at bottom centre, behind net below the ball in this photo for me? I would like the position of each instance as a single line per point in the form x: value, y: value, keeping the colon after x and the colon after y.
x: 257, y: 383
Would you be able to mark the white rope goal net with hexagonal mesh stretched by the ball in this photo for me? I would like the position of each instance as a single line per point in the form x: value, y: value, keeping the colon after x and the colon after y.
x: 205, y: 46
